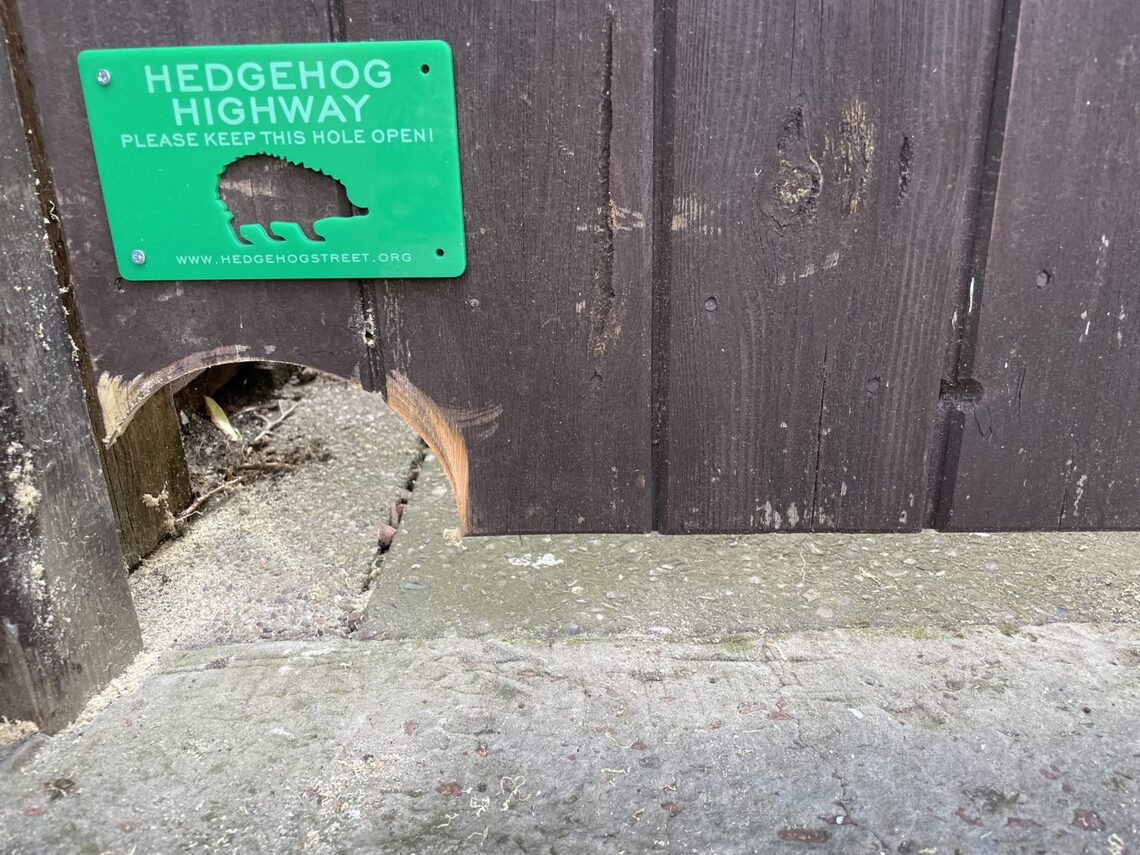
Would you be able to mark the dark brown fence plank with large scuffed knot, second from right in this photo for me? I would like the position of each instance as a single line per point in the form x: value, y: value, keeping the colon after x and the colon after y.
x: 824, y: 174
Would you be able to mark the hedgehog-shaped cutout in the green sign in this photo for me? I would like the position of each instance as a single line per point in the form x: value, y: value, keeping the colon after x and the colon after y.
x: 281, y: 198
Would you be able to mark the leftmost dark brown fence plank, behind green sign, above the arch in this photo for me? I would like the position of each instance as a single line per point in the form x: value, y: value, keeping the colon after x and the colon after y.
x: 142, y: 336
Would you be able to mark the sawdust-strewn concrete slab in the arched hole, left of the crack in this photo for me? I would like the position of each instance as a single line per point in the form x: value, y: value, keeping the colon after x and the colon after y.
x: 287, y: 557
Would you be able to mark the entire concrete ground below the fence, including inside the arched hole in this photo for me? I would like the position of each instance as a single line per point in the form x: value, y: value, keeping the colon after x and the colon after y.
x: 617, y: 694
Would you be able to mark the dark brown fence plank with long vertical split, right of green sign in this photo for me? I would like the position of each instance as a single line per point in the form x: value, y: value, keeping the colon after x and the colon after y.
x: 540, y: 354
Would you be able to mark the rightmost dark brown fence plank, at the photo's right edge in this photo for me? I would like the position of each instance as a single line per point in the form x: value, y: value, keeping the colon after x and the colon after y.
x: 1052, y: 442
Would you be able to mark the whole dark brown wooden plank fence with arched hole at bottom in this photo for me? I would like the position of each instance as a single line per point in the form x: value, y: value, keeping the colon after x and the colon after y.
x: 734, y: 266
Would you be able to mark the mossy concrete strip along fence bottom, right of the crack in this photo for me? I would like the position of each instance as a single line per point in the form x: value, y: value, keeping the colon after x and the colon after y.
x: 714, y: 587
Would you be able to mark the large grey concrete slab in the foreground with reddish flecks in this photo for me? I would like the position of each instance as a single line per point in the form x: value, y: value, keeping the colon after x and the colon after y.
x: 832, y: 742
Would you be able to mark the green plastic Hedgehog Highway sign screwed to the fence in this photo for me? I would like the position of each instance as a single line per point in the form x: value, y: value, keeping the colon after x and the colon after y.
x: 374, y: 119
